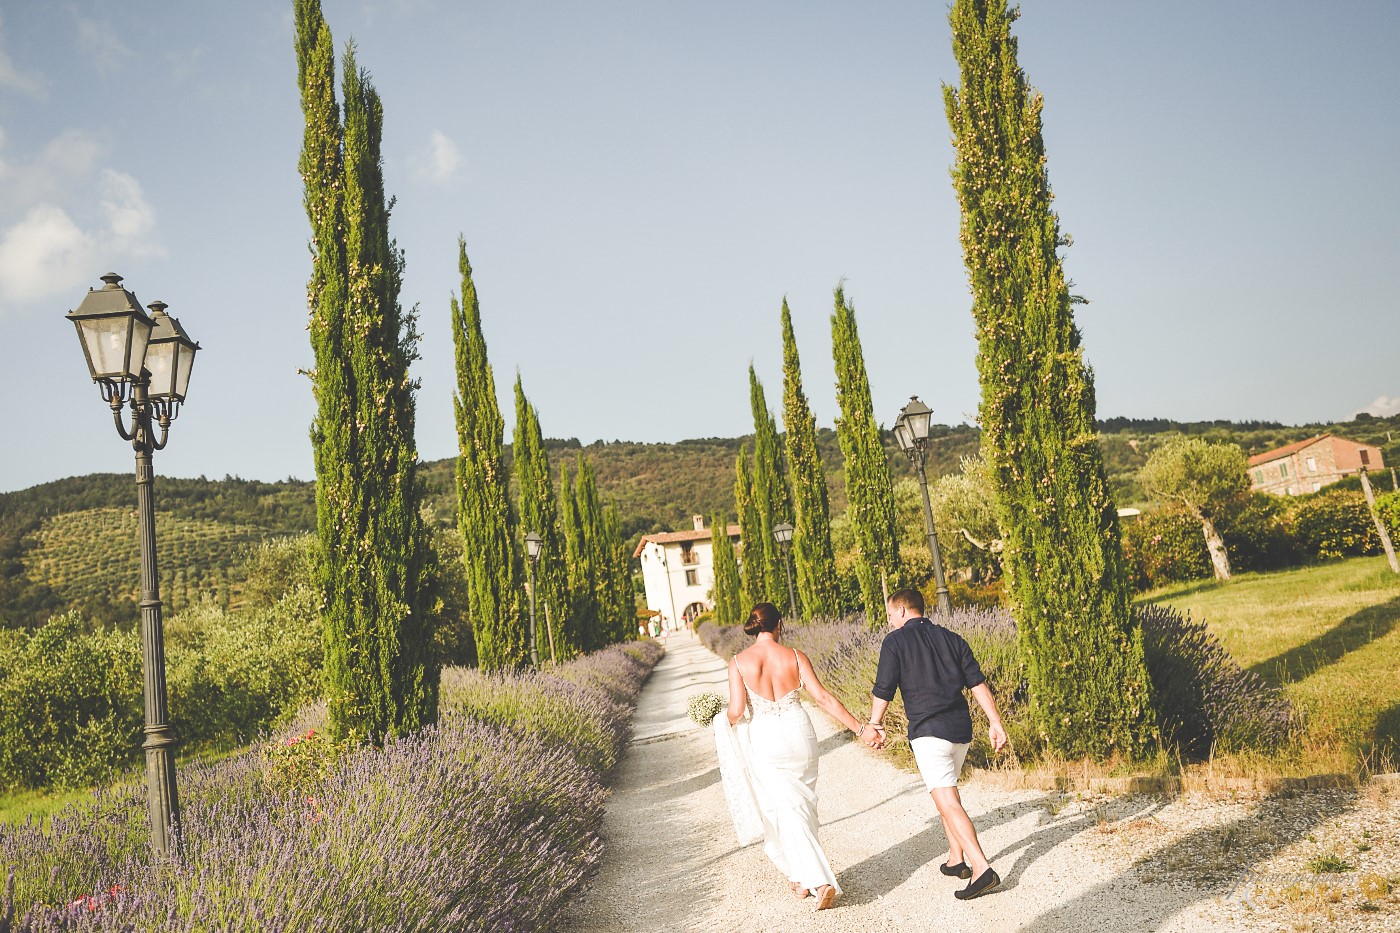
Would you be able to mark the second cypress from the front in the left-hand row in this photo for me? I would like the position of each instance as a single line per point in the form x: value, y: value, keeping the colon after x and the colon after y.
x: 495, y: 569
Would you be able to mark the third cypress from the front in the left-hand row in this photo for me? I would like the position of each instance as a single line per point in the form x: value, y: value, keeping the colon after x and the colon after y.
x: 540, y: 513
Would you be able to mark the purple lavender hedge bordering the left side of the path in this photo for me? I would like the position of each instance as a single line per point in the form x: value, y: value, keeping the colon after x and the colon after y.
x: 475, y: 824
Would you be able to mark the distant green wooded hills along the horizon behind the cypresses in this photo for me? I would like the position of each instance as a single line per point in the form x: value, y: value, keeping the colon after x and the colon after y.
x: 73, y: 541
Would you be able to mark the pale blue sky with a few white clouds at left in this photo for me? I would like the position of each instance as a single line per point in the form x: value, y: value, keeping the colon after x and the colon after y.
x: 642, y: 184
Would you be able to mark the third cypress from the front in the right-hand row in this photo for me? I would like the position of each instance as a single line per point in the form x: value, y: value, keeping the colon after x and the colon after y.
x: 813, y: 553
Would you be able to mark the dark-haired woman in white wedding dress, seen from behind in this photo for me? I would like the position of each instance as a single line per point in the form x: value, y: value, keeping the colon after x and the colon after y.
x: 778, y: 750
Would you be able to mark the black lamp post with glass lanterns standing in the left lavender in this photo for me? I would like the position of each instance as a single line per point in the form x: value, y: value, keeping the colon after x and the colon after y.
x: 143, y: 361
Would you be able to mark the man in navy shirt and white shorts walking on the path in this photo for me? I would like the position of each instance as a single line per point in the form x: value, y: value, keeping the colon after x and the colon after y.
x: 932, y: 666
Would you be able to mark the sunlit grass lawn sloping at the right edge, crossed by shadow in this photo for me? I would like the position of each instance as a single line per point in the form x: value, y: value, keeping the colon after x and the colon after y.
x: 1329, y: 635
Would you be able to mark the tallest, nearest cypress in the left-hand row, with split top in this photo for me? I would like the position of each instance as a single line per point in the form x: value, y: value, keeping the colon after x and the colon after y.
x: 381, y: 670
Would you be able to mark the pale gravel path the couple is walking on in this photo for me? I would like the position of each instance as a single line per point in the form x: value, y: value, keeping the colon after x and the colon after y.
x: 1067, y: 864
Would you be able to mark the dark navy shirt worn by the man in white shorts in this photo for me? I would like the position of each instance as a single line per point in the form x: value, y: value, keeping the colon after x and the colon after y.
x: 932, y: 668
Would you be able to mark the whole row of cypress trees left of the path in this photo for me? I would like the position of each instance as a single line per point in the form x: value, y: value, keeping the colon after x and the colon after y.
x: 376, y: 564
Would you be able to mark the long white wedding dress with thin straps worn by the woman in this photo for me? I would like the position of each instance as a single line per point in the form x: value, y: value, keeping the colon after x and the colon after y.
x: 768, y: 767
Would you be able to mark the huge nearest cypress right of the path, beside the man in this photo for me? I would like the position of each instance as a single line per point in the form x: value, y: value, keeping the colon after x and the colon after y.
x: 1069, y: 585
